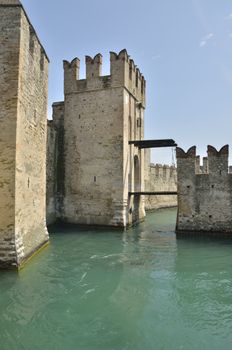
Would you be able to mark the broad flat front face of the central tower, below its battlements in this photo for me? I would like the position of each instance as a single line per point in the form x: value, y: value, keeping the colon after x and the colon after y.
x: 93, y: 156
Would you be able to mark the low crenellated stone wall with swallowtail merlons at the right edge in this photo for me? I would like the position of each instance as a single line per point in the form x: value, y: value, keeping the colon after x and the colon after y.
x: 204, y: 192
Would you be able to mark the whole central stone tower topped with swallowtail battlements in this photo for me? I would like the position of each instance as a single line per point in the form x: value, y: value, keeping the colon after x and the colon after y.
x: 101, y: 114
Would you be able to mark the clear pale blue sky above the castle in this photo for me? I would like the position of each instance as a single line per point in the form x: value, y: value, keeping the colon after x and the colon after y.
x: 183, y: 48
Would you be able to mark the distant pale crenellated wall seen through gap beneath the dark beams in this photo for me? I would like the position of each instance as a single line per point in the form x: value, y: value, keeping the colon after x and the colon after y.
x: 159, y: 178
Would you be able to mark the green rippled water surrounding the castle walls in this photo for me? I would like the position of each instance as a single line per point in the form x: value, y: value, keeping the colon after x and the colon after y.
x: 109, y: 290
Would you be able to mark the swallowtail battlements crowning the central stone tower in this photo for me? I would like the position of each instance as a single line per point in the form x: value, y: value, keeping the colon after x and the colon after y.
x: 123, y: 72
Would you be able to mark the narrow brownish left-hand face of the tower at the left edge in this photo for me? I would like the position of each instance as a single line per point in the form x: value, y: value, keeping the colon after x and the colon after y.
x: 9, y: 67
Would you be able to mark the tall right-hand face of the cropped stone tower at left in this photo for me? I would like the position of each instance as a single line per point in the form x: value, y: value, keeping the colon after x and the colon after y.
x: 31, y: 141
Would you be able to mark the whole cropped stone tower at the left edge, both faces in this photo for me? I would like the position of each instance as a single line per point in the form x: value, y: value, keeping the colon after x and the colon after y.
x: 23, y: 112
